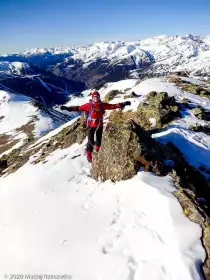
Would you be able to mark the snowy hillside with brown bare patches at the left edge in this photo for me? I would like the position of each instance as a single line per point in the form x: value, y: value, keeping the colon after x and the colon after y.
x: 20, y: 120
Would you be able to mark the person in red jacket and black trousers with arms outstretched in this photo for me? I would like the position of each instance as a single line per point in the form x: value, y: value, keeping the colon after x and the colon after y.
x: 94, y: 111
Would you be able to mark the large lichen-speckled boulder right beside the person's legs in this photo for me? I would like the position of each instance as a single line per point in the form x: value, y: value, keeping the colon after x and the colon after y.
x: 125, y: 147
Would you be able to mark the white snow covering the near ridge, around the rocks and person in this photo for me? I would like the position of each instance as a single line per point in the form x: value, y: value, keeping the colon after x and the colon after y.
x: 55, y: 219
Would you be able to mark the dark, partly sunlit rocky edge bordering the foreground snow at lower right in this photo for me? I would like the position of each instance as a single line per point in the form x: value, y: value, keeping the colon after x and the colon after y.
x: 194, y: 196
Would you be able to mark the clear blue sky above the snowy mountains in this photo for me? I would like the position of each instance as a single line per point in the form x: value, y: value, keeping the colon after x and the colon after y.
x: 47, y: 23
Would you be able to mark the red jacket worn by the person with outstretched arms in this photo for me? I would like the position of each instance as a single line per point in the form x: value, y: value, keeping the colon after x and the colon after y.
x: 96, y: 114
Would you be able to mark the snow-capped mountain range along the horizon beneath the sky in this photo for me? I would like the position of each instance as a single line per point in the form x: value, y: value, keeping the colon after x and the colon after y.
x: 112, y: 61
